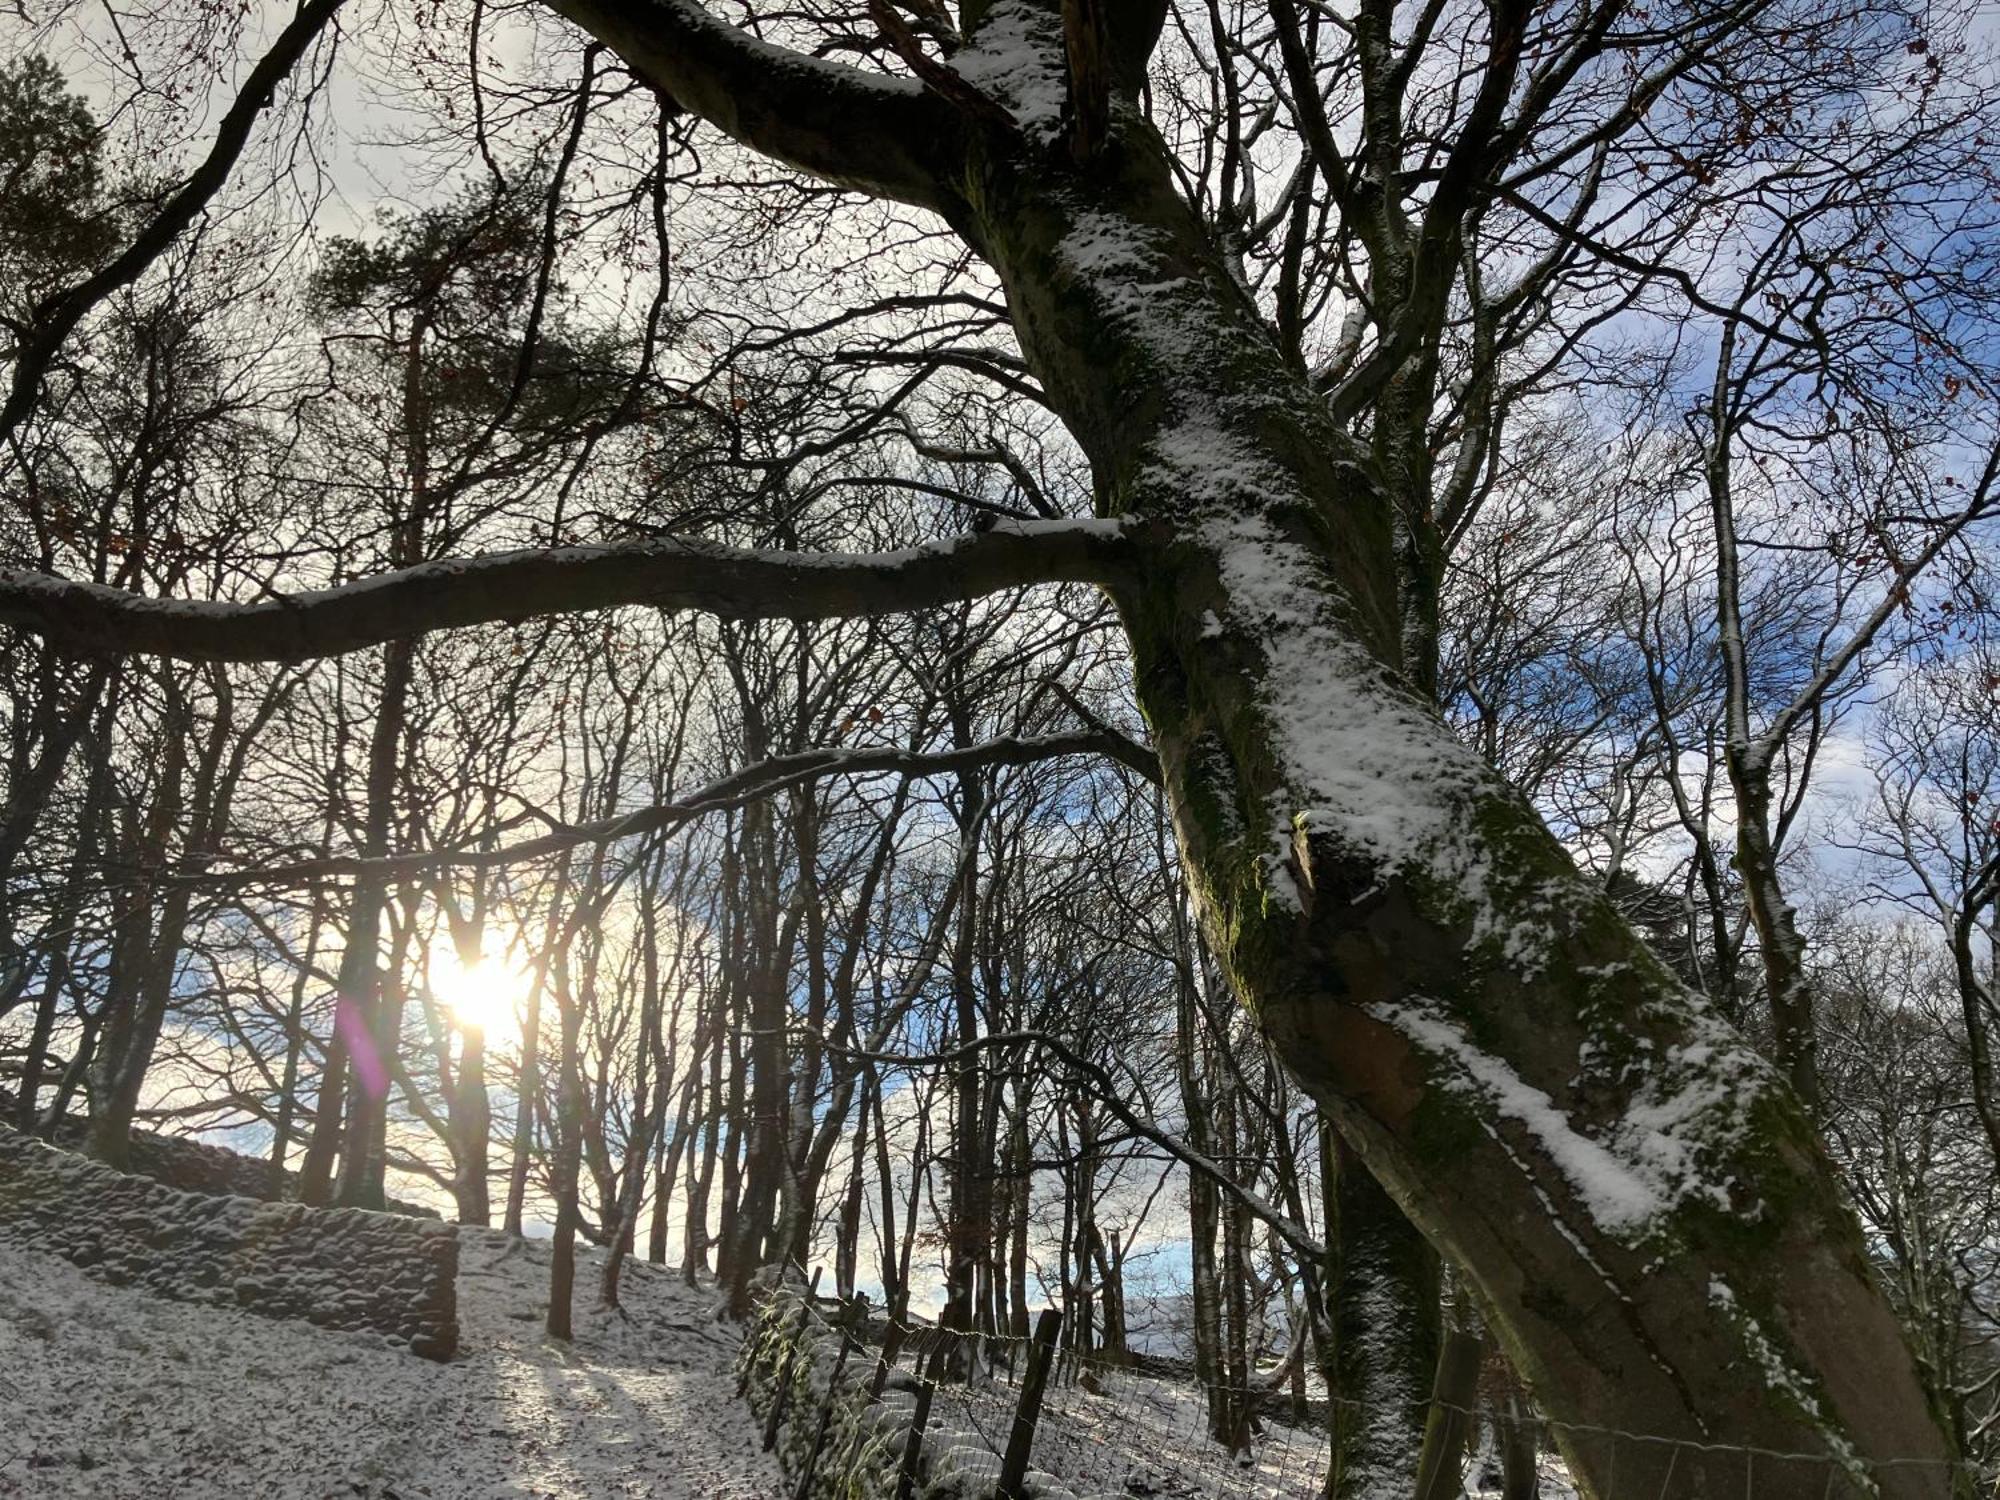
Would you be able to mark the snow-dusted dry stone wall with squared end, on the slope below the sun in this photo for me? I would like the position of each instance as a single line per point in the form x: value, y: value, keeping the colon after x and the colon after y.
x: 331, y: 1267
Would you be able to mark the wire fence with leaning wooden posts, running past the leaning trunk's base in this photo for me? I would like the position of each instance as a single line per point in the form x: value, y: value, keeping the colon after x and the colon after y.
x: 1107, y: 1429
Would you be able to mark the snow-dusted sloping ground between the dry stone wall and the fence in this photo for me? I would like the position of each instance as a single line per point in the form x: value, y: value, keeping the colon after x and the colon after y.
x: 117, y: 1395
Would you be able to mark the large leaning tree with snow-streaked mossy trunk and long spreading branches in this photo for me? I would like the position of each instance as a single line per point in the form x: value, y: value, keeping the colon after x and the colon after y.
x: 1639, y: 1201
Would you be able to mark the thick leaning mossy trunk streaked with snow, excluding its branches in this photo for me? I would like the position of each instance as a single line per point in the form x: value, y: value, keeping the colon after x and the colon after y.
x: 1635, y: 1193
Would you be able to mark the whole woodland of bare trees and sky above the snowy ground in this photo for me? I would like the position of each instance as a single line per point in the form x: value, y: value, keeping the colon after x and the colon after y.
x: 1287, y: 675
